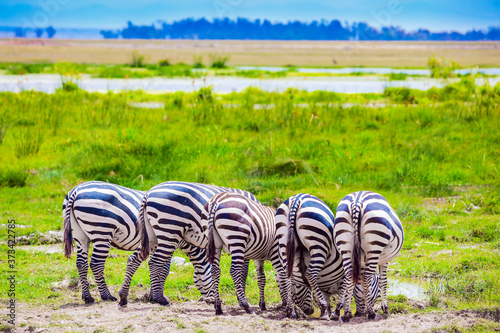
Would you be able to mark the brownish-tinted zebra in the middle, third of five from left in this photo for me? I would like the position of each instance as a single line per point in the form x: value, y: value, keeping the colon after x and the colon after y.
x: 246, y: 229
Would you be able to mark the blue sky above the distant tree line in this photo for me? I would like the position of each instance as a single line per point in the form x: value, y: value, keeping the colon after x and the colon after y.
x: 437, y: 15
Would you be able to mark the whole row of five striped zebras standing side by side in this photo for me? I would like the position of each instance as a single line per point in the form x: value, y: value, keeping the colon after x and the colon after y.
x: 314, y: 254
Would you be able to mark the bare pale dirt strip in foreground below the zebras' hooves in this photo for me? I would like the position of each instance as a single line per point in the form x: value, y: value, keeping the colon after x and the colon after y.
x: 199, y: 317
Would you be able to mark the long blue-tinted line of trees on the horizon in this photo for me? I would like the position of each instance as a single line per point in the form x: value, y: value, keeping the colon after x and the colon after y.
x: 242, y: 28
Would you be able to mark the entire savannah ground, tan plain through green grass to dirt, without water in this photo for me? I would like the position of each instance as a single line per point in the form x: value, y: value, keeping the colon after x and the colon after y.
x: 433, y: 154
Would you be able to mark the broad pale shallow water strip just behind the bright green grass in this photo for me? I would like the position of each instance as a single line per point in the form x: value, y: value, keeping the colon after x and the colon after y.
x: 49, y: 83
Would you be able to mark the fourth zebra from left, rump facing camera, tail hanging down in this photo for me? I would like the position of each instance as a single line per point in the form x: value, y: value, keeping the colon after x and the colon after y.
x: 305, y: 224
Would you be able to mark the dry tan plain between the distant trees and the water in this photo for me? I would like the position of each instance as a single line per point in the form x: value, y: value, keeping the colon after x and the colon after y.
x: 278, y: 53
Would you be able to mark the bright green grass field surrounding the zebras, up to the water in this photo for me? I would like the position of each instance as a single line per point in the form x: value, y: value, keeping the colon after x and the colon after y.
x: 434, y: 155
